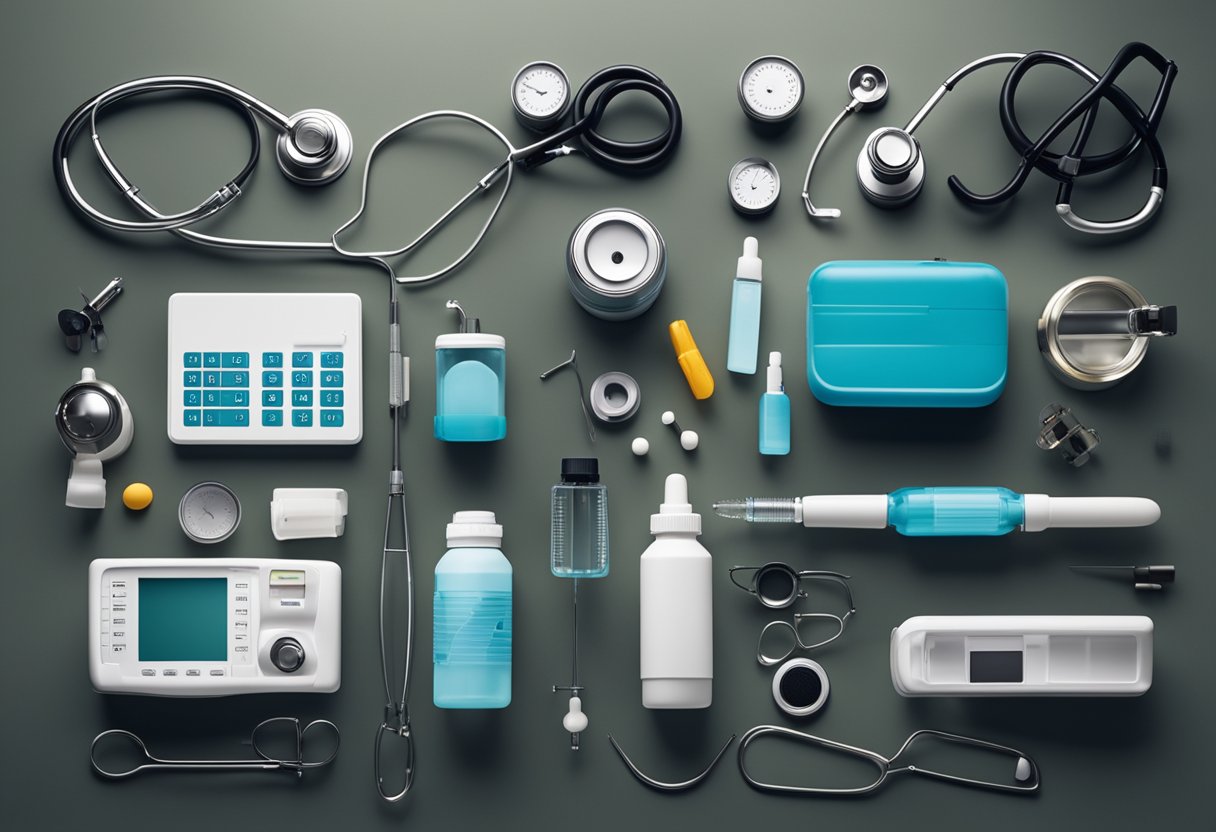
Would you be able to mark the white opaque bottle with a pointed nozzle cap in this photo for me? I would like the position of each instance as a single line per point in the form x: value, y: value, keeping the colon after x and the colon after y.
x: 678, y: 608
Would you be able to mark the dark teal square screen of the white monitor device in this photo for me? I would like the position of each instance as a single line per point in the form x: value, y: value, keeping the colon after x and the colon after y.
x: 183, y: 620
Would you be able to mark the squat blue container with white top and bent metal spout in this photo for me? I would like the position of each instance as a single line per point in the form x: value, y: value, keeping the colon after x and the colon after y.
x: 471, y: 374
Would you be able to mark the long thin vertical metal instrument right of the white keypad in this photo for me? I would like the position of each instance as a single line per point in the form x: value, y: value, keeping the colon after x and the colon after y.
x: 397, y: 543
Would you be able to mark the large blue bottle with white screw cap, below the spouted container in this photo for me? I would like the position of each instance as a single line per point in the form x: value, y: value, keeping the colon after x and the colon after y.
x: 472, y: 616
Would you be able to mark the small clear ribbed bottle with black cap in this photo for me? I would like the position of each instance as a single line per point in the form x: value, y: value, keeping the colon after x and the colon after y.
x: 579, y: 532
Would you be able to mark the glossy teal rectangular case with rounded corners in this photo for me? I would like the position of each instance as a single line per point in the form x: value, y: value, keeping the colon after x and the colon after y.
x: 907, y: 334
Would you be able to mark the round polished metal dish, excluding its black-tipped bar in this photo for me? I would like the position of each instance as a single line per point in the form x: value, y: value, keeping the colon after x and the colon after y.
x: 1090, y: 362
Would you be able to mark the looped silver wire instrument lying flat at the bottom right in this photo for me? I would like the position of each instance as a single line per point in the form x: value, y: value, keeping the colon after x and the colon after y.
x: 1026, y: 773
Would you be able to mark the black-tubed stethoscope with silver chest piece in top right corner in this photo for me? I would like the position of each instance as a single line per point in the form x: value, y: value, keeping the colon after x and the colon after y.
x: 891, y: 167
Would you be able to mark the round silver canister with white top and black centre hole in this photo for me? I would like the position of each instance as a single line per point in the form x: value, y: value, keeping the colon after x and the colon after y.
x: 617, y: 263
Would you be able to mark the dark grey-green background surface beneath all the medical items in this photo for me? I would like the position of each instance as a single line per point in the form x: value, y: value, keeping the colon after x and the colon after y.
x: 1107, y: 764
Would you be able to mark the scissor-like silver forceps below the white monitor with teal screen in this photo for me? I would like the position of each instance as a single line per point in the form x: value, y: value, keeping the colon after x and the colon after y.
x: 263, y: 762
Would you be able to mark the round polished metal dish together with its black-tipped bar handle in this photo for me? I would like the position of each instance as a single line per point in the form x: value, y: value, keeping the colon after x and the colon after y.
x: 1096, y: 330
